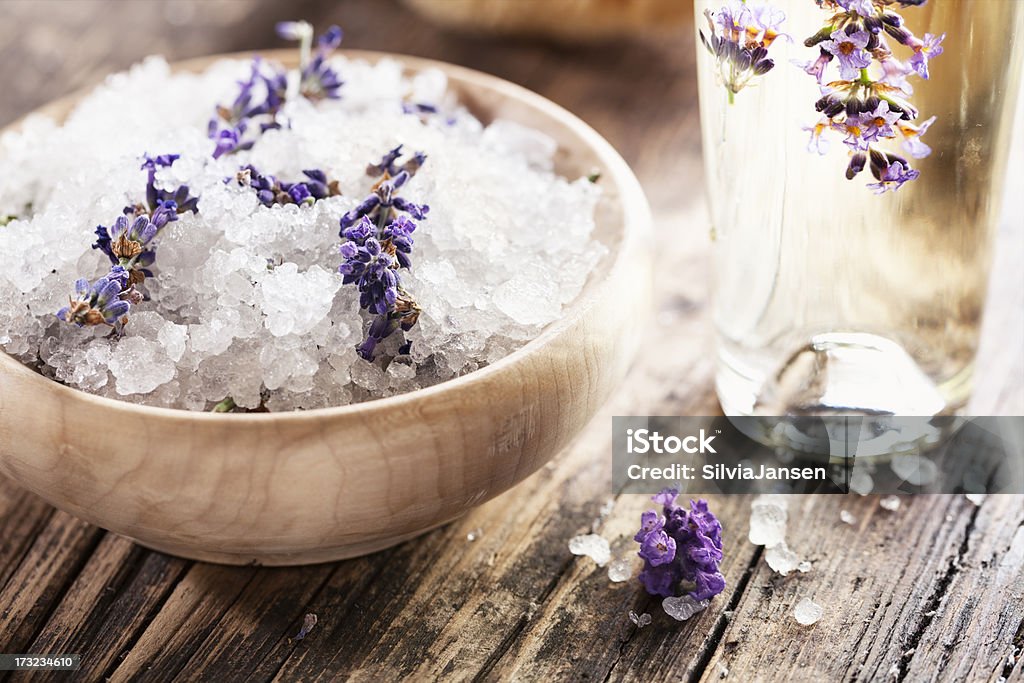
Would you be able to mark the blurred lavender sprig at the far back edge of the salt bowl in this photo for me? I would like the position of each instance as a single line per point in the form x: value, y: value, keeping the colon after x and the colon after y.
x: 262, y: 97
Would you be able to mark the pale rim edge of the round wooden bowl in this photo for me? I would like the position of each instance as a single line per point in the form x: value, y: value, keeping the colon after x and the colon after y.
x: 635, y: 209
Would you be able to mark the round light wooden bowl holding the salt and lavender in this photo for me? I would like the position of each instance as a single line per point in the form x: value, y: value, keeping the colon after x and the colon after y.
x: 326, y: 485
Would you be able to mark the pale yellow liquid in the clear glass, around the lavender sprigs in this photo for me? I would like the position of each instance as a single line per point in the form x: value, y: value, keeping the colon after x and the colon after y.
x: 830, y: 298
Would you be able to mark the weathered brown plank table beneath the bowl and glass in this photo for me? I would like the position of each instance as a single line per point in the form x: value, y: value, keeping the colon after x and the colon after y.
x: 933, y: 590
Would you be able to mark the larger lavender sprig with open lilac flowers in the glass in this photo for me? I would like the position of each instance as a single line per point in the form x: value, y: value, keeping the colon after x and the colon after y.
x: 871, y: 109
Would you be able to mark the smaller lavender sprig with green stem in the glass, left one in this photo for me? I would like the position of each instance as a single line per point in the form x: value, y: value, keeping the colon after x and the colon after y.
x: 741, y: 34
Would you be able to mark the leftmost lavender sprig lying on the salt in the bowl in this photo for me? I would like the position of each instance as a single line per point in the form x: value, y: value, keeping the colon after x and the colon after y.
x: 130, y: 244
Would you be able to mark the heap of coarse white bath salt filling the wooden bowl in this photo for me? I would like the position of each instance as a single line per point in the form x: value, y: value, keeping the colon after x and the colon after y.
x: 246, y: 302
